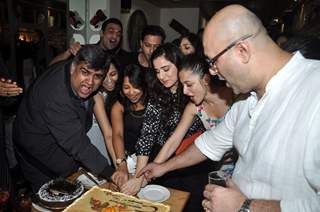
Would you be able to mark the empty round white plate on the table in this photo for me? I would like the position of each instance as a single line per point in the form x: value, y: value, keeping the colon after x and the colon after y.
x: 155, y: 193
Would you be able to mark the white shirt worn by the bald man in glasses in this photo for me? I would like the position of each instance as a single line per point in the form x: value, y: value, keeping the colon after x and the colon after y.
x: 277, y: 137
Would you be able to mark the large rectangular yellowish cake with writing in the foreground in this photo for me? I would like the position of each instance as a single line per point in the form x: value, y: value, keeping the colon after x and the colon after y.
x: 103, y: 200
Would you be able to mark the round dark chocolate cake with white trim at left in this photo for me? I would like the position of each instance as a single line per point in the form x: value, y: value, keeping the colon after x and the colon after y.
x: 59, y: 193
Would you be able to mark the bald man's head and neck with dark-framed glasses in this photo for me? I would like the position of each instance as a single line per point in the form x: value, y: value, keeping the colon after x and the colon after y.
x: 240, y: 50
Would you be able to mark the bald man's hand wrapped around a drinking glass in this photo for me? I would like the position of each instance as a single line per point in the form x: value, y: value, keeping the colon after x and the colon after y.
x: 220, y: 199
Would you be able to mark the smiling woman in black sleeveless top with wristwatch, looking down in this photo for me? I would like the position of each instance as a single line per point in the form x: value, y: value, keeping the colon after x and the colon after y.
x: 127, y: 116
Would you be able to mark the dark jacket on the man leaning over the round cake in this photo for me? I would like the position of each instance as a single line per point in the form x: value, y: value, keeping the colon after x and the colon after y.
x: 51, y: 126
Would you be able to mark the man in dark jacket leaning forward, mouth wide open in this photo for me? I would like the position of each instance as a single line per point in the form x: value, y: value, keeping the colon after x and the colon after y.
x: 54, y: 116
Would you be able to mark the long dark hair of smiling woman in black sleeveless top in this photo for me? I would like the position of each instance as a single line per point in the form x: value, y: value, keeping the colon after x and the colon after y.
x: 136, y: 77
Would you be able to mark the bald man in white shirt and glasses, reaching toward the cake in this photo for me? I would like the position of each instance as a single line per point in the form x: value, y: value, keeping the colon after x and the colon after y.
x: 275, y: 130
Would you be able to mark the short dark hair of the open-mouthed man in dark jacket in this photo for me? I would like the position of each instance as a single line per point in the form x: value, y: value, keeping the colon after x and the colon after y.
x: 94, y: 56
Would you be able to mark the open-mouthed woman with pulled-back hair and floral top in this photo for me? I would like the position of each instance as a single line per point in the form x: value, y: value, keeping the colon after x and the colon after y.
x: 210, y: 100
